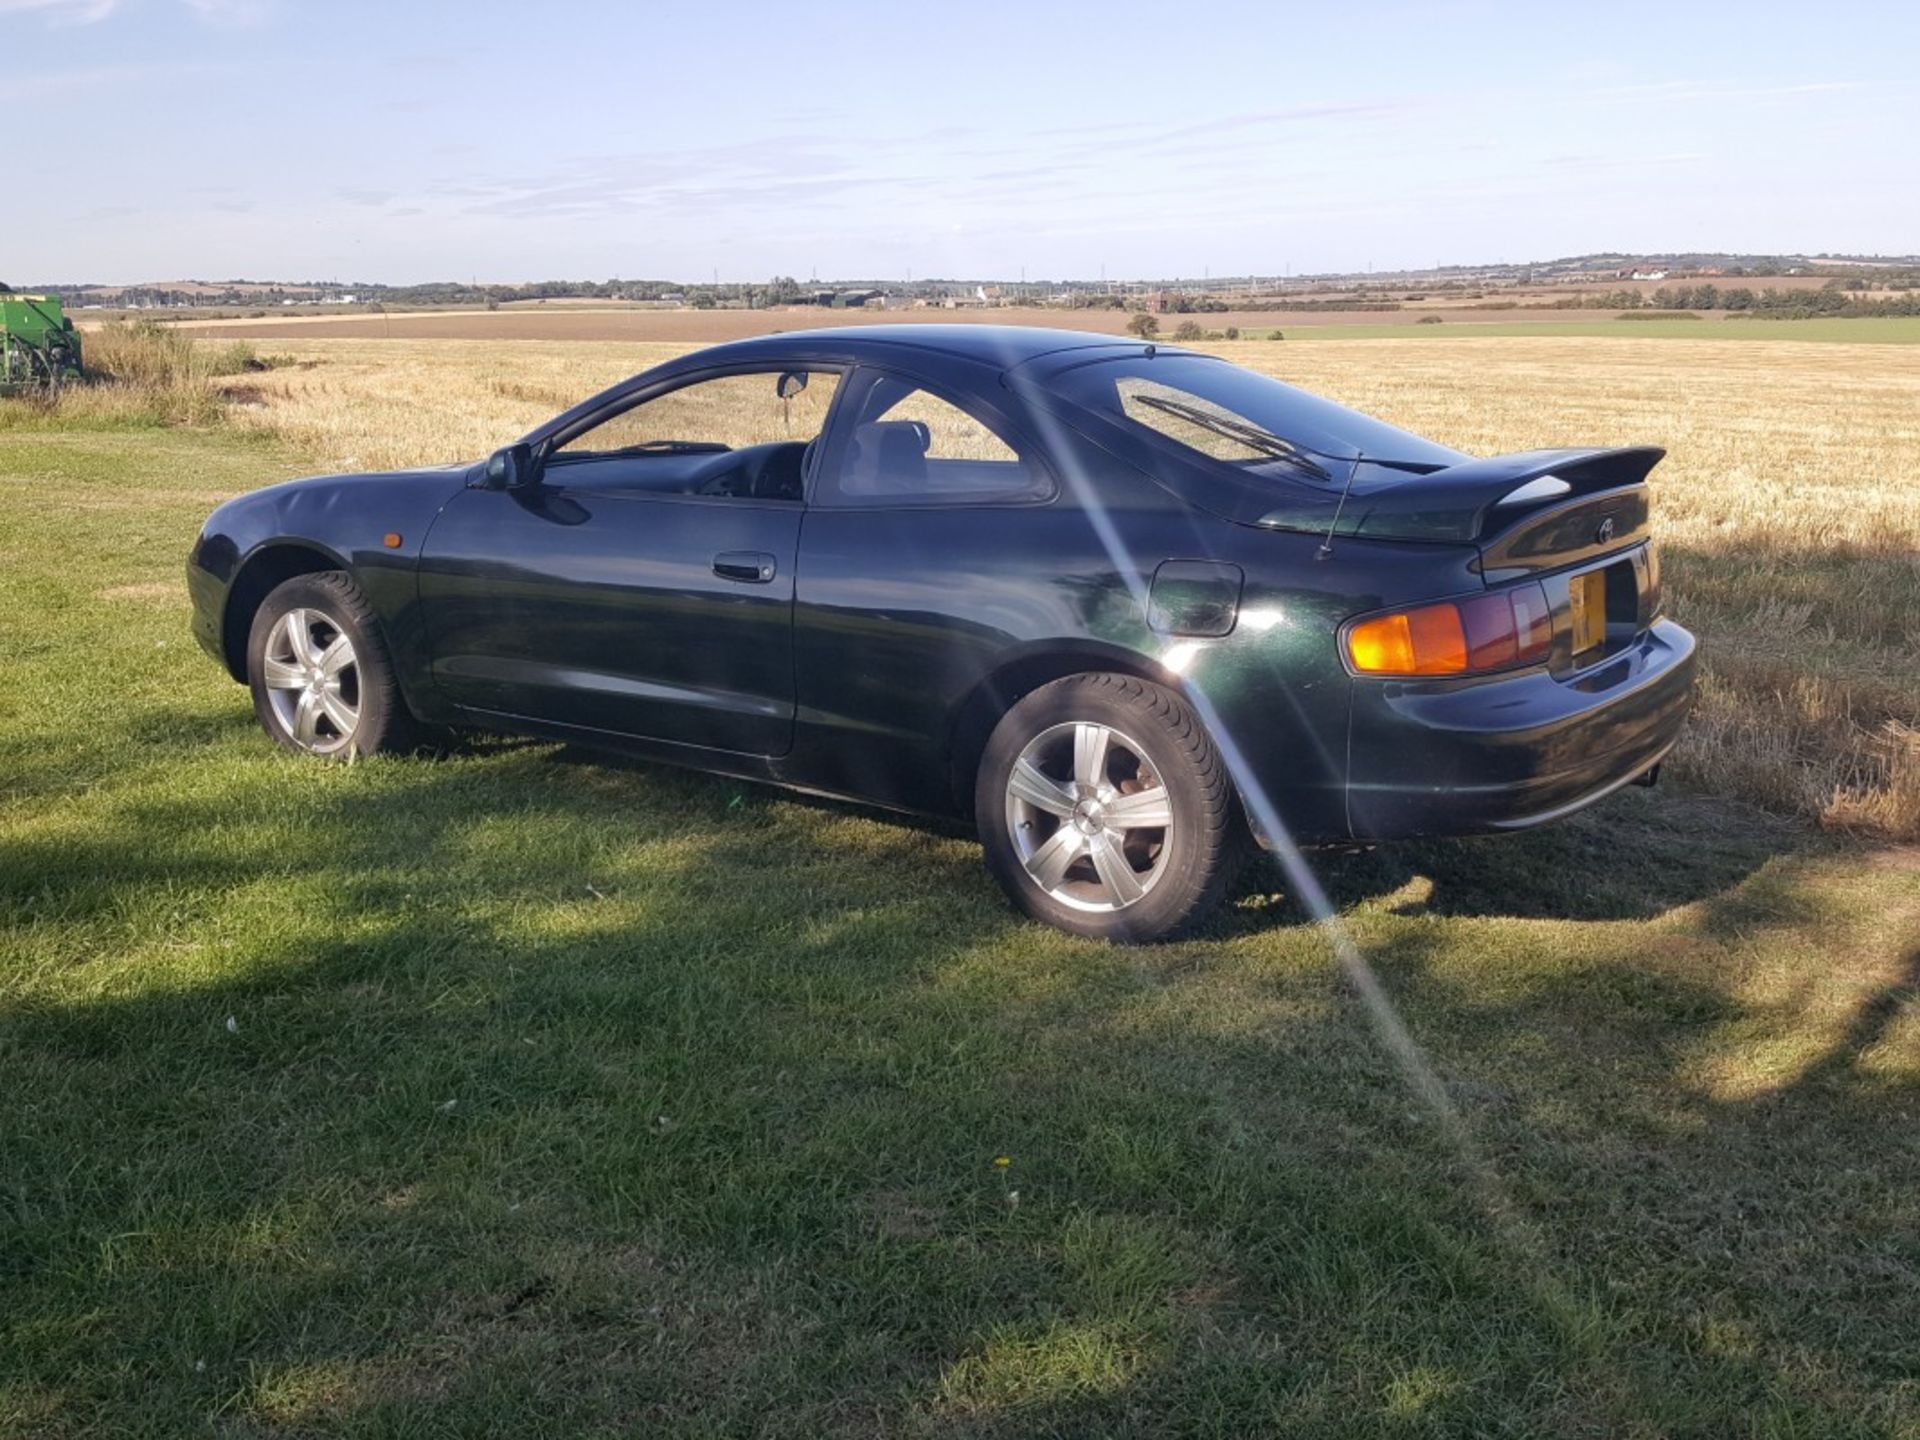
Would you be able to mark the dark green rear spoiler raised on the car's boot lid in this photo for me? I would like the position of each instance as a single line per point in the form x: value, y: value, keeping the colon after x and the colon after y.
x: 1470, y: 502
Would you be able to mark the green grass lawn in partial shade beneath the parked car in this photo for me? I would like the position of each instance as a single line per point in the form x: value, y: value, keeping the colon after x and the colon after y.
x: 521, y: 1093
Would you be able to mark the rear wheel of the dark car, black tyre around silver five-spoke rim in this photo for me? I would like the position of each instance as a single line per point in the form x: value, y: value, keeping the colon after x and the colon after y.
x: 1188, y: 865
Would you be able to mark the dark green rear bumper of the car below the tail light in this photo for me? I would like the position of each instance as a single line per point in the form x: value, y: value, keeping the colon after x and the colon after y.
x: 1431, y: 759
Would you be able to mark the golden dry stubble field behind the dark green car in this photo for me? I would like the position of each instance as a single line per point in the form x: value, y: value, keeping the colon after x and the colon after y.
x: 1790, y: 517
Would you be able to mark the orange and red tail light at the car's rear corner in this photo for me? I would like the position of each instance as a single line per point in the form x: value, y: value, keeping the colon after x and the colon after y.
x: 1500, y: 631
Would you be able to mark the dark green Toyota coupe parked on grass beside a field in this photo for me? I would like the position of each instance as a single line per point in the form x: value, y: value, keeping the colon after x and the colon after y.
x: 1120, y: 606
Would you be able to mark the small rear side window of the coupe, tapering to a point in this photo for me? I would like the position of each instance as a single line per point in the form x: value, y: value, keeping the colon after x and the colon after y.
x: 907, y: 446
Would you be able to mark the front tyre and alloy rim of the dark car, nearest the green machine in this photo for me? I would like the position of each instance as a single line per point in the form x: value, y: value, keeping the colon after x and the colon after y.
x: 383, y: 723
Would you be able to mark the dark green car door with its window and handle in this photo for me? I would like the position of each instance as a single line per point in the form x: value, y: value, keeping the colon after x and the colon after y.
x: 644, y: 585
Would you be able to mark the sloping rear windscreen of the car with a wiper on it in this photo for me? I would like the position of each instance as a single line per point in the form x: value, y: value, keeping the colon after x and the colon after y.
x: 1239, y: 418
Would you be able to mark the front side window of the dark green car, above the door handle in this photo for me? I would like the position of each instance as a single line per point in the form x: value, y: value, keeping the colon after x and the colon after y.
x: 725, y: 437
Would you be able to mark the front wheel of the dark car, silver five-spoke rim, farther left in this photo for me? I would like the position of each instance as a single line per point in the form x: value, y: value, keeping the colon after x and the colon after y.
x: 320, y: 671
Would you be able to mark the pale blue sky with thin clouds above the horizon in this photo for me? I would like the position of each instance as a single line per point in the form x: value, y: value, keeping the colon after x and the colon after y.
x: 408, y: 141
